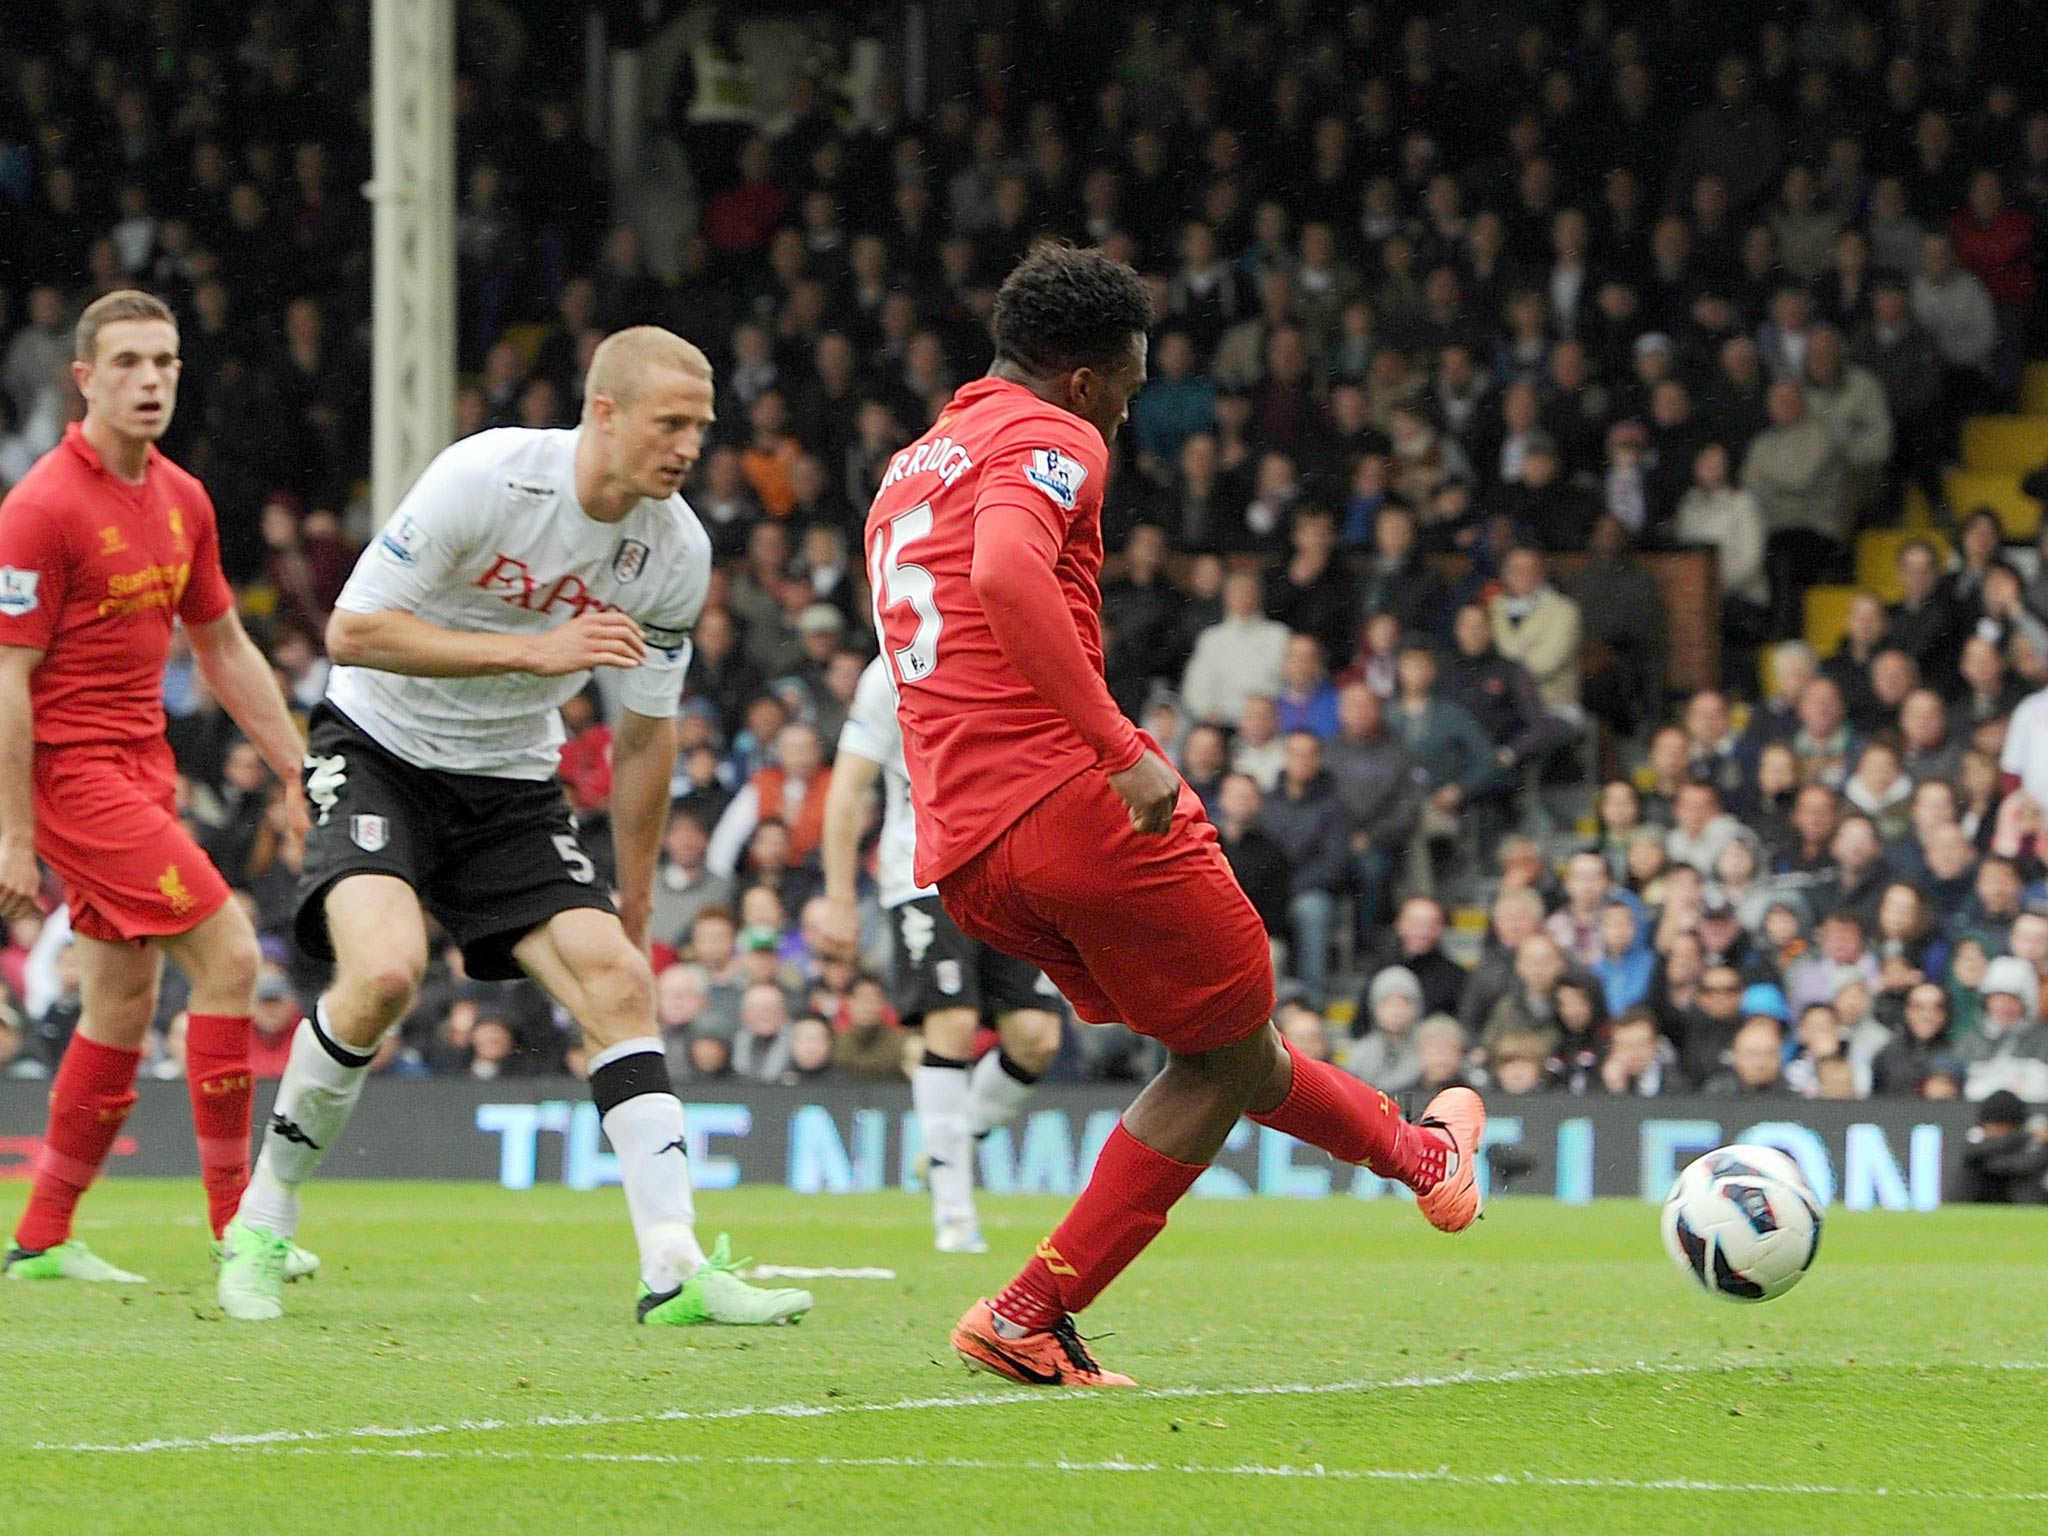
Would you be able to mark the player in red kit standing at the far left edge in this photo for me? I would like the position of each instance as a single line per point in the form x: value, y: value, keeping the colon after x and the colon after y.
x: 105, y: 544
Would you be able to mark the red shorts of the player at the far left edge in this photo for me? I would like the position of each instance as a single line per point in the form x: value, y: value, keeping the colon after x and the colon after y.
x: 108, y: 824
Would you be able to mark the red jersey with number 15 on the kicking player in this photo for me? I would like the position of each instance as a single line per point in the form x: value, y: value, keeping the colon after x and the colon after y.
x: 980, y: 740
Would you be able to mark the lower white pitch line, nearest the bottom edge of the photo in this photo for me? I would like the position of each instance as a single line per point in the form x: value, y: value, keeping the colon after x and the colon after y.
x: 1316, y: 1471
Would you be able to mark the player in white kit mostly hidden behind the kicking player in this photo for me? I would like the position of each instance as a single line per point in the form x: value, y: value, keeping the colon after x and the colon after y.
x: 945, y: 980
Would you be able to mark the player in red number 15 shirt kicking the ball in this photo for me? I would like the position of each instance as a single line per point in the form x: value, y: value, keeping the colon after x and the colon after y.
x: 1058, y: 833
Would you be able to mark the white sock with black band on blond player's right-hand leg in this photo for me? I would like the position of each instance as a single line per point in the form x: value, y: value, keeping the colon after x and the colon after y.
x: 644, y: 1123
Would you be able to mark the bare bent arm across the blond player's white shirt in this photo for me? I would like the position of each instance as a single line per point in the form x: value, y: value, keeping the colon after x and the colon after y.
x: 398, y: 642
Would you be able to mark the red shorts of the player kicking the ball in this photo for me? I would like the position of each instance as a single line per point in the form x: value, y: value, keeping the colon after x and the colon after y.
x: 1146, y: 931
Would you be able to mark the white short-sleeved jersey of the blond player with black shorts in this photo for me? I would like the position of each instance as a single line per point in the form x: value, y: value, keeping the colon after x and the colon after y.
x: 493, y: 540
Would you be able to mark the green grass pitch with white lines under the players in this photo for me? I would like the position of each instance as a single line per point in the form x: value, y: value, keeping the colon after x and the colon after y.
x: 468, y: 1363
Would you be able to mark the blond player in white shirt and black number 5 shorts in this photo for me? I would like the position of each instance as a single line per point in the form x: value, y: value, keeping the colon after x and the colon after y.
x: 519, y: 562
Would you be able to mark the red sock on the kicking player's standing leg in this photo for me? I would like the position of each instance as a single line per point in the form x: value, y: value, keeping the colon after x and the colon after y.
x: 1117, y: 1215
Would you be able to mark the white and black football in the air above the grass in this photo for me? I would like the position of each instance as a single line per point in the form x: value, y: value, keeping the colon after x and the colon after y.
x: 1744, y: 1224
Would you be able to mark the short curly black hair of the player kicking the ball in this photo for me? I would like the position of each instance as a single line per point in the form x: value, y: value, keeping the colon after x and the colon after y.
x: 1066, y: 308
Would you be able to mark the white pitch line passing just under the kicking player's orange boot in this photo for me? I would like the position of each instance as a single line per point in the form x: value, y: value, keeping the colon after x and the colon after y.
x: 237, y: 1441
